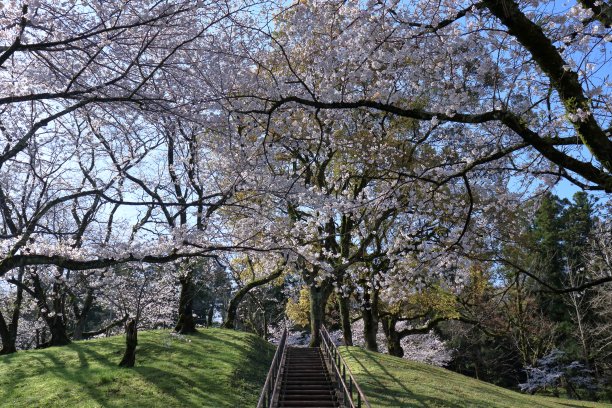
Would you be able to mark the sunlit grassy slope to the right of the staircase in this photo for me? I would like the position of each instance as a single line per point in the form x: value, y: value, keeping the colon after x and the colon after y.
x: 394, y: 382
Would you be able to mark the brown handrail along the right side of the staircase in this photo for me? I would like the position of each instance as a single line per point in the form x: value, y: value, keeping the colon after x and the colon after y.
x: 340, y: 371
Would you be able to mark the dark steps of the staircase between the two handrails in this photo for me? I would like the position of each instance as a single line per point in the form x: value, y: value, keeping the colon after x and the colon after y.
x: 306, y: 381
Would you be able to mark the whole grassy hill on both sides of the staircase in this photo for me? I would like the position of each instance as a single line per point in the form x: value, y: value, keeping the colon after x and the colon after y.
x: 223, y: 368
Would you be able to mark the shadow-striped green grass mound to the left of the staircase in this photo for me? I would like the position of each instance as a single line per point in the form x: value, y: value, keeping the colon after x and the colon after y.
x: 213, y: 368
